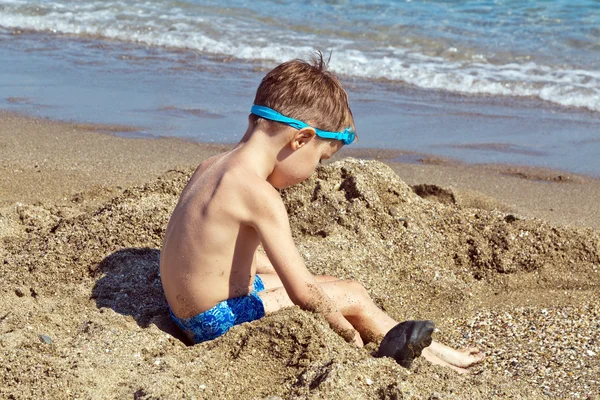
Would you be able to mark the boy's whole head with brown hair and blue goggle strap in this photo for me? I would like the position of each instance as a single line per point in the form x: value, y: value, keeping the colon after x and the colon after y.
x: 310, y: 100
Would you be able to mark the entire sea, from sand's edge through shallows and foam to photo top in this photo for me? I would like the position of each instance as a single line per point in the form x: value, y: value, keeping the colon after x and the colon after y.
x: 479, y: 81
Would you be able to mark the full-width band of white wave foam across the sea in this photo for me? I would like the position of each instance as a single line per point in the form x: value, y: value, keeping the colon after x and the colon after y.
x: 226, y: 35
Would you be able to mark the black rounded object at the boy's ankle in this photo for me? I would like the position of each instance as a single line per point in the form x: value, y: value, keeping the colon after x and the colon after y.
x: 406, y: 341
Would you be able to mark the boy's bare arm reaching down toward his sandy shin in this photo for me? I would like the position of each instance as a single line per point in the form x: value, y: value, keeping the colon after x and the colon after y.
x: 271, y: 222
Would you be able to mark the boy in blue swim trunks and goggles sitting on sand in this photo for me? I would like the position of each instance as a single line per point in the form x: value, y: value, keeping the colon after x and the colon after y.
x: 212, y: 274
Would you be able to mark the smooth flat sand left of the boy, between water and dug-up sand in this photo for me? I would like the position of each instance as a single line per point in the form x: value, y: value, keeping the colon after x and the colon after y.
x: 48, y: 160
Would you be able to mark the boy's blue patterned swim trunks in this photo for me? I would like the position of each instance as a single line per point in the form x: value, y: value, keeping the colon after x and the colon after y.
x: 215, y: 322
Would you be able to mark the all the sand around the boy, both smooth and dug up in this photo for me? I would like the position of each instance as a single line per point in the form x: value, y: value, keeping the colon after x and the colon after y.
x: 82, y: 314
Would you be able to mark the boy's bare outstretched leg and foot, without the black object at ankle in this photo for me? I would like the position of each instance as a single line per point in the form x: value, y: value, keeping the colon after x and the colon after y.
x: 356, y: 305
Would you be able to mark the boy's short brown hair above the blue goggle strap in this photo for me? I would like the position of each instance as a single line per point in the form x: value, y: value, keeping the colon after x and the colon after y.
x: 307, y: 92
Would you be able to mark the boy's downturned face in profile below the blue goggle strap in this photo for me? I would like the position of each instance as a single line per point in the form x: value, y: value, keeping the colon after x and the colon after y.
x: 297, y: 165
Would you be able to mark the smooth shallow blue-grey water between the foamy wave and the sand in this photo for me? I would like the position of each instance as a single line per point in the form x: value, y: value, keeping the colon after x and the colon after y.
x: 194, y: 96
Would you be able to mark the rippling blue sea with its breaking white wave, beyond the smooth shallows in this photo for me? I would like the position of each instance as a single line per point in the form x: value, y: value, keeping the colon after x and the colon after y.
x: 544, y: 49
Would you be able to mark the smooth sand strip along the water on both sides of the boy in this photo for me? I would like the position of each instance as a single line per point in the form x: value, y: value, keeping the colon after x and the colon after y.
x: 93, y: 158
